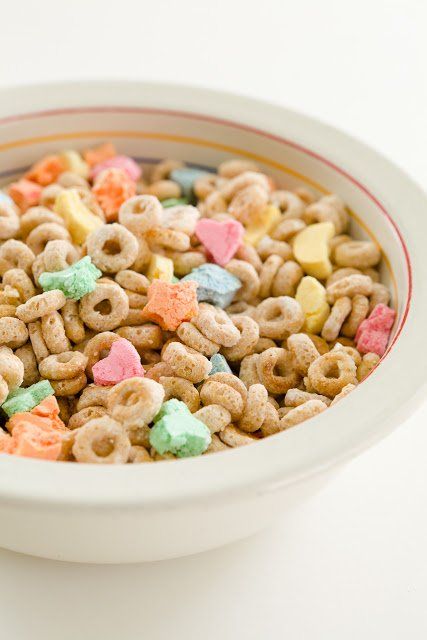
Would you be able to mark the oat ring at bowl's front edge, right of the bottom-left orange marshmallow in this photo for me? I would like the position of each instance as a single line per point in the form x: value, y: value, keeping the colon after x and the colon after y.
x: 101, y: 441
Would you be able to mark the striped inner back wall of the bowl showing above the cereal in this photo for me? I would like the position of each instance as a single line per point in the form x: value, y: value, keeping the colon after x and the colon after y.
x: 150, y: 135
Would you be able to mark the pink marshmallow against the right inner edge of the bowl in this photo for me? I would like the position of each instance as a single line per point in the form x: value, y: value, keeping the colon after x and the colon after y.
x: 373, y: 333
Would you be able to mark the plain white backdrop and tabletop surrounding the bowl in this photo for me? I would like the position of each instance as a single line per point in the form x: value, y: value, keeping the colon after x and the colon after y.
x: 352, y: 563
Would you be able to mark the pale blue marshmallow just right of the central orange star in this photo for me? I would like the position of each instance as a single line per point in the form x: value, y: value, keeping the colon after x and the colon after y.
x: 215, y: 284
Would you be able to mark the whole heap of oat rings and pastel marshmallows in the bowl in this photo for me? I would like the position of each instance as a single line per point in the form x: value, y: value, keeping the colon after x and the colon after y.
x: 177, y: 313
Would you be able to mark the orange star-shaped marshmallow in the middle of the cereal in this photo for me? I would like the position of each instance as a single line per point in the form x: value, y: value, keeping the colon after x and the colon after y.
x: 170, y: 304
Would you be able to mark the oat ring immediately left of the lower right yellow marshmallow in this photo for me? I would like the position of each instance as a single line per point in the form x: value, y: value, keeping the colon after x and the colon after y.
x: 278, y: 317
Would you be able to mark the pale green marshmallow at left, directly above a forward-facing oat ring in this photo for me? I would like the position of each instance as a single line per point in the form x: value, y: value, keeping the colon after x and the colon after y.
x: 74, y: 281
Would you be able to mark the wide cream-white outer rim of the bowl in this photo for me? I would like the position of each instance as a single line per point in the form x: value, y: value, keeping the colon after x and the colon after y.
x: 285, y: 458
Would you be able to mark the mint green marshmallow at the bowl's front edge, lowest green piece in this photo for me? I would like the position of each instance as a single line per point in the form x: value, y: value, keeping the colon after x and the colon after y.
x: 177, y: 431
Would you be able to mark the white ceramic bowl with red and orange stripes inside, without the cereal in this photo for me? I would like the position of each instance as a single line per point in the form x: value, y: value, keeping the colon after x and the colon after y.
x: 149, y: 512
